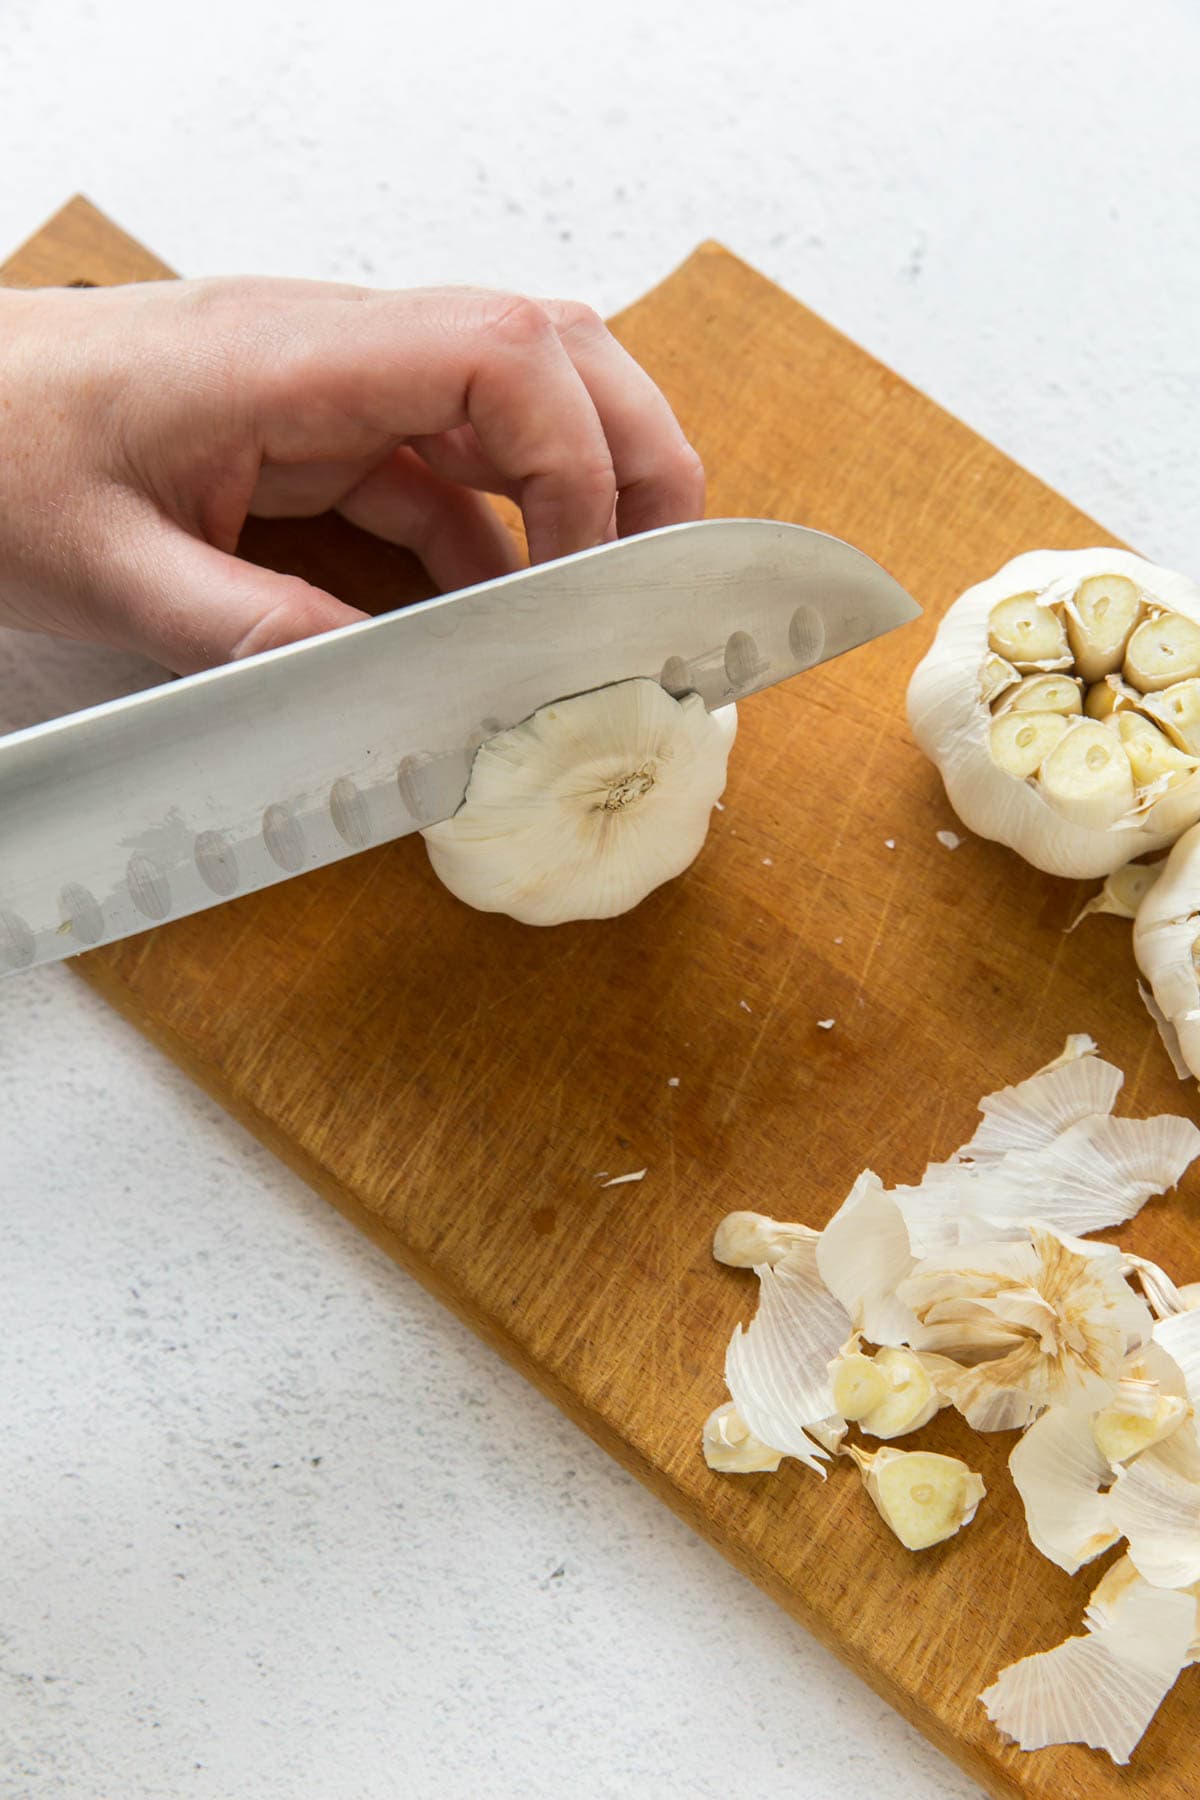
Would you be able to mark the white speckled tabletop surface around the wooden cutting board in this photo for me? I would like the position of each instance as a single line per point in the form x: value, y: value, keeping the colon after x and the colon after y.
x: 273, y: 1524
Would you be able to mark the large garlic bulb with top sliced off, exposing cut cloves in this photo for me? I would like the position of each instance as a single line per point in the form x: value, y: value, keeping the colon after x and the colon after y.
x: 1073, y: 795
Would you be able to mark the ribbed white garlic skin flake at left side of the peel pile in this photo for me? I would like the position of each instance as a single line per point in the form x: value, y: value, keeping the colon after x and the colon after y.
x: 778, y: 1367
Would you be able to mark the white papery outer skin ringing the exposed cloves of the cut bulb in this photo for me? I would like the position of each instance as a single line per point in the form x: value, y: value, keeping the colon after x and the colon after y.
x: 953, y: 721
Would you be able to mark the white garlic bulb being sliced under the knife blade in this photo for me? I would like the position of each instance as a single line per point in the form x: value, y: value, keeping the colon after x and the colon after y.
x: 587, y: 805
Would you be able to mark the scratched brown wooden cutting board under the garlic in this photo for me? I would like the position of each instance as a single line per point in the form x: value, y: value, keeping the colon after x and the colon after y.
x: 458, y: 1084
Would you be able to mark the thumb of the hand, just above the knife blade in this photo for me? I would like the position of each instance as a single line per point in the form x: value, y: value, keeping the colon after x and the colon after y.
x: 192, y: 607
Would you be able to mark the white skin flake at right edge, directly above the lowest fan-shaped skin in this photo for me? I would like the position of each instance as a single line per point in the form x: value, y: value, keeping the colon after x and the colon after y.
x: 1156, y: 1504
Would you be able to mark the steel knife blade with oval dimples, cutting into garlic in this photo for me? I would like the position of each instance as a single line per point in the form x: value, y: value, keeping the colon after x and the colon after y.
x: 183, y: 796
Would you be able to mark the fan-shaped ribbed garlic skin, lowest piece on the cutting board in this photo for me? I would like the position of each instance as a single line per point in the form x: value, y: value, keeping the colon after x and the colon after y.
x: 1102, y: 1689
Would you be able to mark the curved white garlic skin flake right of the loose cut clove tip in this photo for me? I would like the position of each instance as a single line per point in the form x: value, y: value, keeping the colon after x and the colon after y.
x: 1062, y: 1479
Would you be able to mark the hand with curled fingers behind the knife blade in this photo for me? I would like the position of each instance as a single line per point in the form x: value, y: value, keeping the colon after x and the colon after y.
x: 139, y: 427
